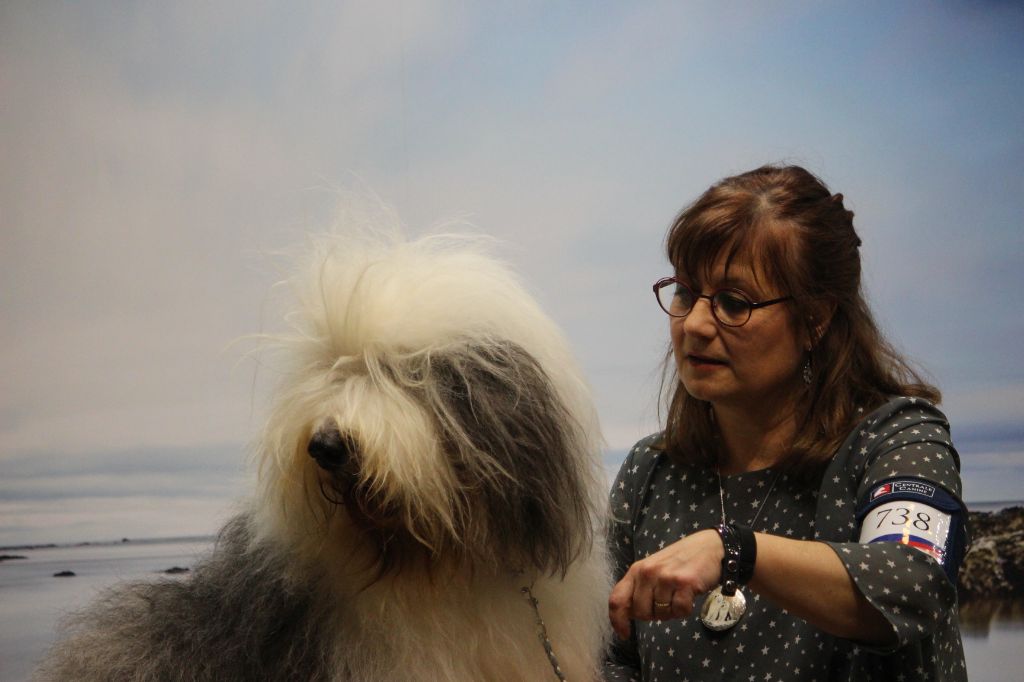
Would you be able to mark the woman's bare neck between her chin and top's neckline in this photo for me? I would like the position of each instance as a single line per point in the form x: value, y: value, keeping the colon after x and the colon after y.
x: 753, y: 440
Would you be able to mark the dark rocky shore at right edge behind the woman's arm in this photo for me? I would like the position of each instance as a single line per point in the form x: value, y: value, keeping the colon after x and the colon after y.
x: 994, y: 568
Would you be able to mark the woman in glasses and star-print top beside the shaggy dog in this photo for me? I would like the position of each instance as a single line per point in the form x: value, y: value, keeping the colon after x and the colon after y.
x: 800, y: 518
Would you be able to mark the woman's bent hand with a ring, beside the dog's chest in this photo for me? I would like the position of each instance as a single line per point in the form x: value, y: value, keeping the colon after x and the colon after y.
x: 665, y: 585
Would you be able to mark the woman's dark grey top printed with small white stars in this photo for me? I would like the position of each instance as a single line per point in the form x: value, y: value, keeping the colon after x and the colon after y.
x: 656, y: 501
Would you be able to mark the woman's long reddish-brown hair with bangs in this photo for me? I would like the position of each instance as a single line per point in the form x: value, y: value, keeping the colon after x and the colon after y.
x: 801, y: 238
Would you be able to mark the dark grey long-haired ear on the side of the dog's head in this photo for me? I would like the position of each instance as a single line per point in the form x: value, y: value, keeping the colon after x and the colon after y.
x: 511, y: 441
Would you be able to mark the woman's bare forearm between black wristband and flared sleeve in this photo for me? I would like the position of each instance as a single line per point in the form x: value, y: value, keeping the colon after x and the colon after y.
x: 807, y: 579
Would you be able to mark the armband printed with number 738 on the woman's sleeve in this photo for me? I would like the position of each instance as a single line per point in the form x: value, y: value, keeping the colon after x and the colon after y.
x: 917, y: 514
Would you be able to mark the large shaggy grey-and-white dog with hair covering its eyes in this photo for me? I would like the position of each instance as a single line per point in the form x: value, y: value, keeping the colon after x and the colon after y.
x: 429, y: 497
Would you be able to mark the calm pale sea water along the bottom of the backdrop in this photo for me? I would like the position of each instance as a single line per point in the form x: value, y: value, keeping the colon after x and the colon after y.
x: 32, y: 602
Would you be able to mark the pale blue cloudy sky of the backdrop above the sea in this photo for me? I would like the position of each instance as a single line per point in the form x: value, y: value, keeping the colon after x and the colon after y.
x: 152, y: 154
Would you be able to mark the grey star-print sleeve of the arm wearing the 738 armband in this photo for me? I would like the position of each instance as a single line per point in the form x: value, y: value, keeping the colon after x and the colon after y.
x: 907, y: 585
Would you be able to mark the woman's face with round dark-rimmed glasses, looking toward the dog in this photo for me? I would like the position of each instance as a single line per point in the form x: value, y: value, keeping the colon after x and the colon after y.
x: 747, y: 368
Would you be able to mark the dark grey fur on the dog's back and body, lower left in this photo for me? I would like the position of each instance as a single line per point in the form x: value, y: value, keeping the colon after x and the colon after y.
x: 235, y: 619
